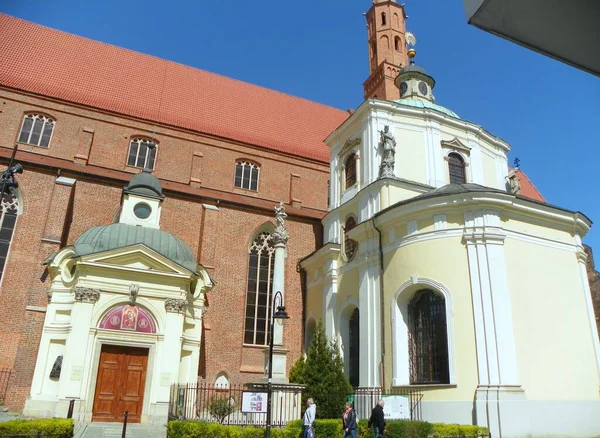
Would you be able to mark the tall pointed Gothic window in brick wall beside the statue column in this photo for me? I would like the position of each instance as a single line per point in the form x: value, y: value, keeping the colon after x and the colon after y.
x: 259, y: 290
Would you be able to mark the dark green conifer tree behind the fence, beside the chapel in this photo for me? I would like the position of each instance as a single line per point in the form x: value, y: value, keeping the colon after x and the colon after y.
x: 323, y: 374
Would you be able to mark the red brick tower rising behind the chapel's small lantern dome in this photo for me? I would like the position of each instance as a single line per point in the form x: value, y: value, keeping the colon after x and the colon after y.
x: 387, y: 48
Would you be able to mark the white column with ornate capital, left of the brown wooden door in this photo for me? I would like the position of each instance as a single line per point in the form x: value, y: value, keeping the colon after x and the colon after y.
x: 77, y: 346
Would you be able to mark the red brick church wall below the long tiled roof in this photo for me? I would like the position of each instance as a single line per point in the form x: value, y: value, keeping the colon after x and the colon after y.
x: 220, y: 238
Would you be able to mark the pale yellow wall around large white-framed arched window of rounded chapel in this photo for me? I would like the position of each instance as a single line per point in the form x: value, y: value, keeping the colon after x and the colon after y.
x: 445, y: 261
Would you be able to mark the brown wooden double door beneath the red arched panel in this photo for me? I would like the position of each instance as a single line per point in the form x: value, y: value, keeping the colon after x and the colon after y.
x: 120, y: 384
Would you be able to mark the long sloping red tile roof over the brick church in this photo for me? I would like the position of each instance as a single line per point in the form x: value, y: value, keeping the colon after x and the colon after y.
x: 45, y: 61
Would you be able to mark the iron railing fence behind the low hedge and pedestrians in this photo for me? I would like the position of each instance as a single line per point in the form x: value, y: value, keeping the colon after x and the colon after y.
x: 222, y: 404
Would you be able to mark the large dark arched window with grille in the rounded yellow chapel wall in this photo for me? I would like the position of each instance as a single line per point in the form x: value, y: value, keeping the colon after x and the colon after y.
x: 428, y: 339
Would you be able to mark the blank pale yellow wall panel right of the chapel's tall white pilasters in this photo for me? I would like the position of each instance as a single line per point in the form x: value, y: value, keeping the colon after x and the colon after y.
x: 545, y: 286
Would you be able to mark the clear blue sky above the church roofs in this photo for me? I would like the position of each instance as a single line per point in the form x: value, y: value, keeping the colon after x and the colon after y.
x: 317, y: 49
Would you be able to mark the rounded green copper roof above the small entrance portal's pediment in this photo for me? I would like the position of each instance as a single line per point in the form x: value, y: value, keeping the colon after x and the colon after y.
x: 113, y: 236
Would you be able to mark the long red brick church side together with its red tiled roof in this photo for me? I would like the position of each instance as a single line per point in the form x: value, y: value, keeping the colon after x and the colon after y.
x: 226, y: 153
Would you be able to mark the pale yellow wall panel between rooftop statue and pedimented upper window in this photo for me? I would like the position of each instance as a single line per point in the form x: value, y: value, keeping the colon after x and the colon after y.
x: 410, y: 155
